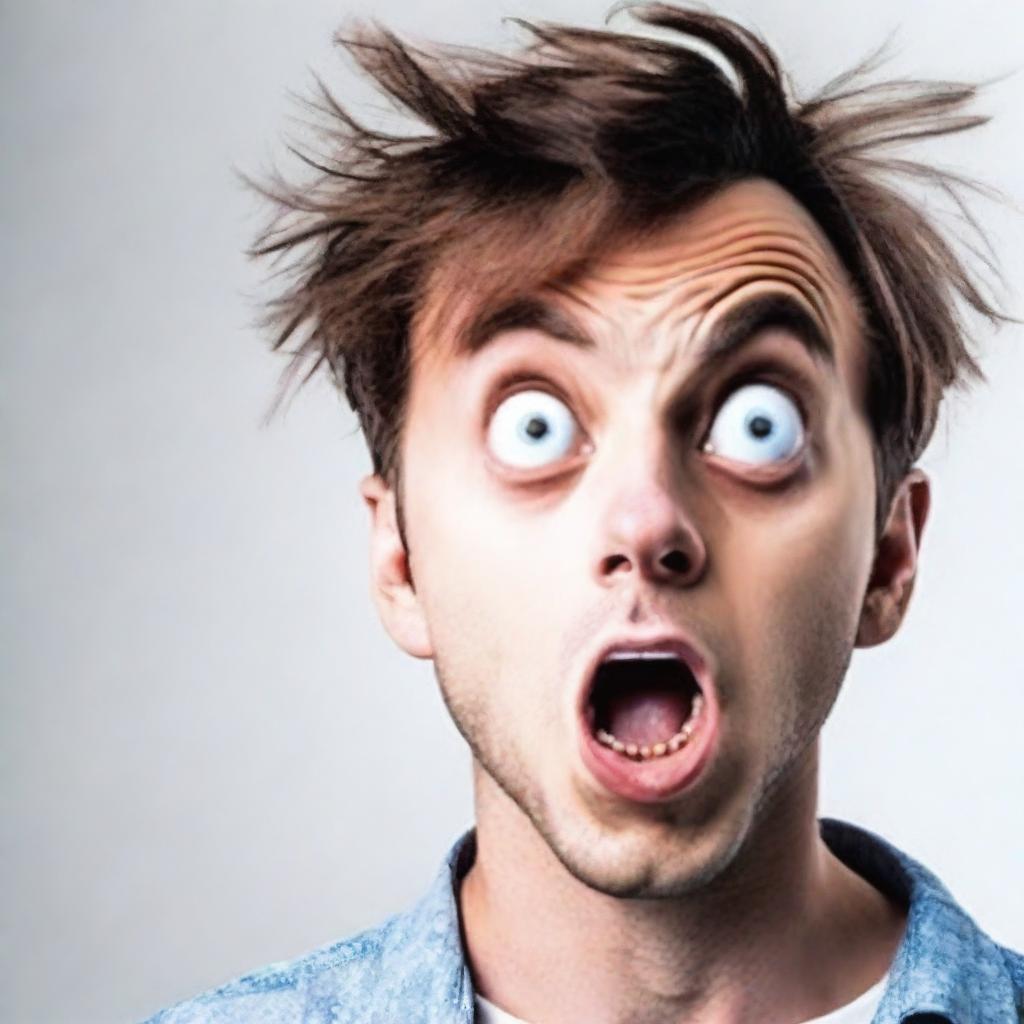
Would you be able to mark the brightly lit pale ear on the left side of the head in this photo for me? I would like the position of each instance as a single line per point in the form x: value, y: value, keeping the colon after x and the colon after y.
x: 392, y: 582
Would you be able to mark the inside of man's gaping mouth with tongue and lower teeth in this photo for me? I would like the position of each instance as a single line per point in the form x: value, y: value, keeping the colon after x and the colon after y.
x: 645, y: 705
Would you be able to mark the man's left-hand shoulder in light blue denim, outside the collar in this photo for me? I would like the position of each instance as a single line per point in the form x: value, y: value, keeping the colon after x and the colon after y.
x: 319, y: 986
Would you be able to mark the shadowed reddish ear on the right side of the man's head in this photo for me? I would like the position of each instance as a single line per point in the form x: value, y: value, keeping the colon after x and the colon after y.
x: 895, y: 565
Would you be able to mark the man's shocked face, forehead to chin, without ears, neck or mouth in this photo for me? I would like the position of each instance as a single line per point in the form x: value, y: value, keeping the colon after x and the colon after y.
x: 560, y: 495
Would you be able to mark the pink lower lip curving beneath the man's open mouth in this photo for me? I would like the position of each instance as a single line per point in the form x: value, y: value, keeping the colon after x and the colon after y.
x: 658, y: 780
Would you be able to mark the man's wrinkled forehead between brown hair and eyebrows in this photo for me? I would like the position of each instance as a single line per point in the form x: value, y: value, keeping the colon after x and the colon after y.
x: 751, y: 242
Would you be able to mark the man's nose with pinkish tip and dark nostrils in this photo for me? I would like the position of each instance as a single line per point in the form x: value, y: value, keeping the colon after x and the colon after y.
x: 647, y: 532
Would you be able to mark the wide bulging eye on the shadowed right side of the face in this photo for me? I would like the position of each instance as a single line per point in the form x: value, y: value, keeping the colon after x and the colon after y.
x: 757, y: 424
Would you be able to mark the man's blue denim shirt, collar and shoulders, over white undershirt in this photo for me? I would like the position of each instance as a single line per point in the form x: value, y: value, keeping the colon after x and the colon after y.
x: 412, y: 969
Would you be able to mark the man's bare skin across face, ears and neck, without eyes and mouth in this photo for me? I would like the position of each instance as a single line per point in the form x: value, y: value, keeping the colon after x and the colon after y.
x: 721, y: 905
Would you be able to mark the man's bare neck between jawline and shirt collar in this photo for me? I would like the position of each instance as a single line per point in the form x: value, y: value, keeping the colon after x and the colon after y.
x: 786, y: 932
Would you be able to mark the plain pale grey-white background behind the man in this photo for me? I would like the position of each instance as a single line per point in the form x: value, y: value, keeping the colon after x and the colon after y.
x: 212, y: 755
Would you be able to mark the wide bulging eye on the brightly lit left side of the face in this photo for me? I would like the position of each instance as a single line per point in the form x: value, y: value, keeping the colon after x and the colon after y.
x: 531, y: 429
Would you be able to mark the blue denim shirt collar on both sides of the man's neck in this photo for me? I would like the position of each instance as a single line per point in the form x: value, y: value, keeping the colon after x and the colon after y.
x: 945, y: 965
